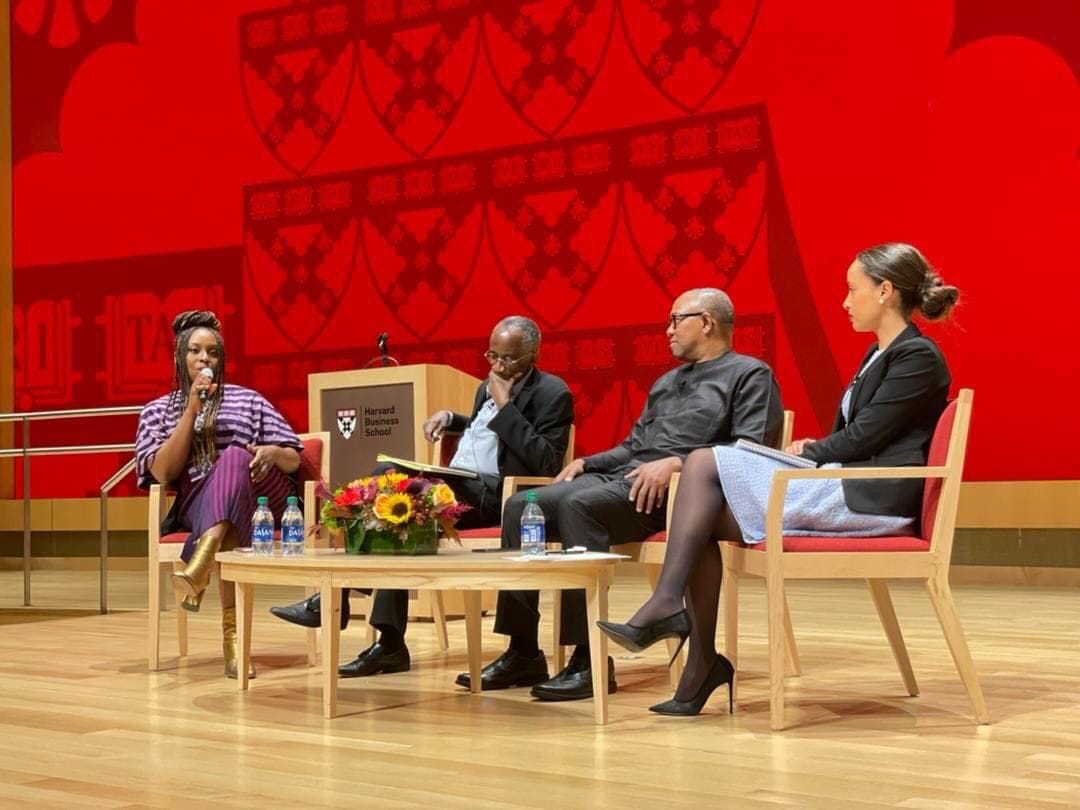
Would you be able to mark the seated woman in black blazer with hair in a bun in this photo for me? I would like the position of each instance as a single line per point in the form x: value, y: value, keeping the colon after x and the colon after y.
x: 887, y: 418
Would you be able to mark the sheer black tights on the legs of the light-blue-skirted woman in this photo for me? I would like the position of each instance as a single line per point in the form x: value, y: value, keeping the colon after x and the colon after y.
x: 693, y: 565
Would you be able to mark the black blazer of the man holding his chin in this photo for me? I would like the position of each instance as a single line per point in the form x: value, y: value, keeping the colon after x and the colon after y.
x: 534, y: 428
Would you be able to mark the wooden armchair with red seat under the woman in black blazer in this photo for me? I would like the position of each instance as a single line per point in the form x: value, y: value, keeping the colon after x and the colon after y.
x: 924, y: 558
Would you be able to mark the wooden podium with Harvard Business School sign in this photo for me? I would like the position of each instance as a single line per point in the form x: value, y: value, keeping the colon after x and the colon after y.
x: 382, y: 410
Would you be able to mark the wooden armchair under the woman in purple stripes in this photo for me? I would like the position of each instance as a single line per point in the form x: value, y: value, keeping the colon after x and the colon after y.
x: 161, y: 550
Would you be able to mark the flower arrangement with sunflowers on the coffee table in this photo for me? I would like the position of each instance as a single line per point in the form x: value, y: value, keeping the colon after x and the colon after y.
x: 391, y: 503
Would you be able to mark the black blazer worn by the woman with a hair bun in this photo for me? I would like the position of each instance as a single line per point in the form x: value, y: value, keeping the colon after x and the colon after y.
x: 895, y: 410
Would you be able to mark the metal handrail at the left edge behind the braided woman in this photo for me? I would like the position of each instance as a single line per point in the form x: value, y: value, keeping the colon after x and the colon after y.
x: 26, y: 453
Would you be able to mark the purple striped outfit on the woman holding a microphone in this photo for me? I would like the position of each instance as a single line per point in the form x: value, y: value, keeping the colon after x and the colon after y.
x: 225, y: 492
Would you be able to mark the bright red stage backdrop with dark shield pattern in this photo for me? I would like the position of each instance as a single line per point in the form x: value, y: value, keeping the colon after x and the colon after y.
x: 320, y: 172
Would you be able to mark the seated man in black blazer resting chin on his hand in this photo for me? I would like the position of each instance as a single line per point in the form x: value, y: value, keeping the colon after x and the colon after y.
x: 520, y: 426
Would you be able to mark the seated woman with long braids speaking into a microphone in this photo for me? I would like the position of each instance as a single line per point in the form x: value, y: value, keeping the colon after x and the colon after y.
x: 221, y: 447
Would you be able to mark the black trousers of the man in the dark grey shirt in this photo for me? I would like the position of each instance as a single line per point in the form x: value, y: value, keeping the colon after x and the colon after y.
x: 593, y: 510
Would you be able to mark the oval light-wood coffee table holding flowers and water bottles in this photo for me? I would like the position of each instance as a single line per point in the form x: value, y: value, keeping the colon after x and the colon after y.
x: 331, y: 570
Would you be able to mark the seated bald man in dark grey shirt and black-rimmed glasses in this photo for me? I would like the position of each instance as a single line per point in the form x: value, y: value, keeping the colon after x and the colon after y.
x: 620, y: 496
